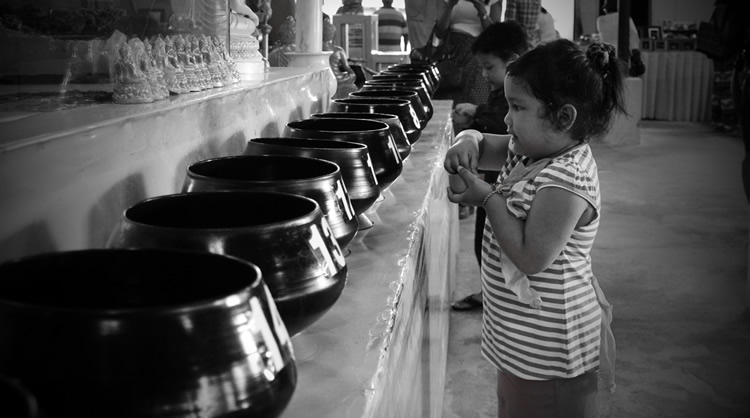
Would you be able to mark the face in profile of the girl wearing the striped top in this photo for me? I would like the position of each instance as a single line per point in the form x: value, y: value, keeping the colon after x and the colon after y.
x: 532, y: 135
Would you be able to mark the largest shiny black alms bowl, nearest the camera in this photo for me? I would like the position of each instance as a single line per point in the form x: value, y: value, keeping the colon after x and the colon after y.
x: 142, y: 333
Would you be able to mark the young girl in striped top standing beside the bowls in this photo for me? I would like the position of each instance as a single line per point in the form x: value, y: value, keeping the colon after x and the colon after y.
x: 542, y: 217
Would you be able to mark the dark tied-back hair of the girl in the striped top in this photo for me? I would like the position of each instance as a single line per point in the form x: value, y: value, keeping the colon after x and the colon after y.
x: 560, y: 72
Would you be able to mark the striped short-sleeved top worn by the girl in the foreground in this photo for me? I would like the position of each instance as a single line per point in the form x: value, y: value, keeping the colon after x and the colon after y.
x: 562, y: 339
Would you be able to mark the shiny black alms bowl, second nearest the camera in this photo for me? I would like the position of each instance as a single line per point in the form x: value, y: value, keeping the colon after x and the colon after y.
x: 285, y: 235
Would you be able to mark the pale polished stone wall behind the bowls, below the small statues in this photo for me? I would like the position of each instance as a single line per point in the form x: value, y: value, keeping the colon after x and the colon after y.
x: 66, y: 177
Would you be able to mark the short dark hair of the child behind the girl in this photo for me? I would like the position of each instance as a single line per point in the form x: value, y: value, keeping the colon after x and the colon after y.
x: 505, y: 40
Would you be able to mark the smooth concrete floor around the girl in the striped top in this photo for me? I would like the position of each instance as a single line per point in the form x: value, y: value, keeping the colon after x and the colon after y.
x: 671, y: 256
